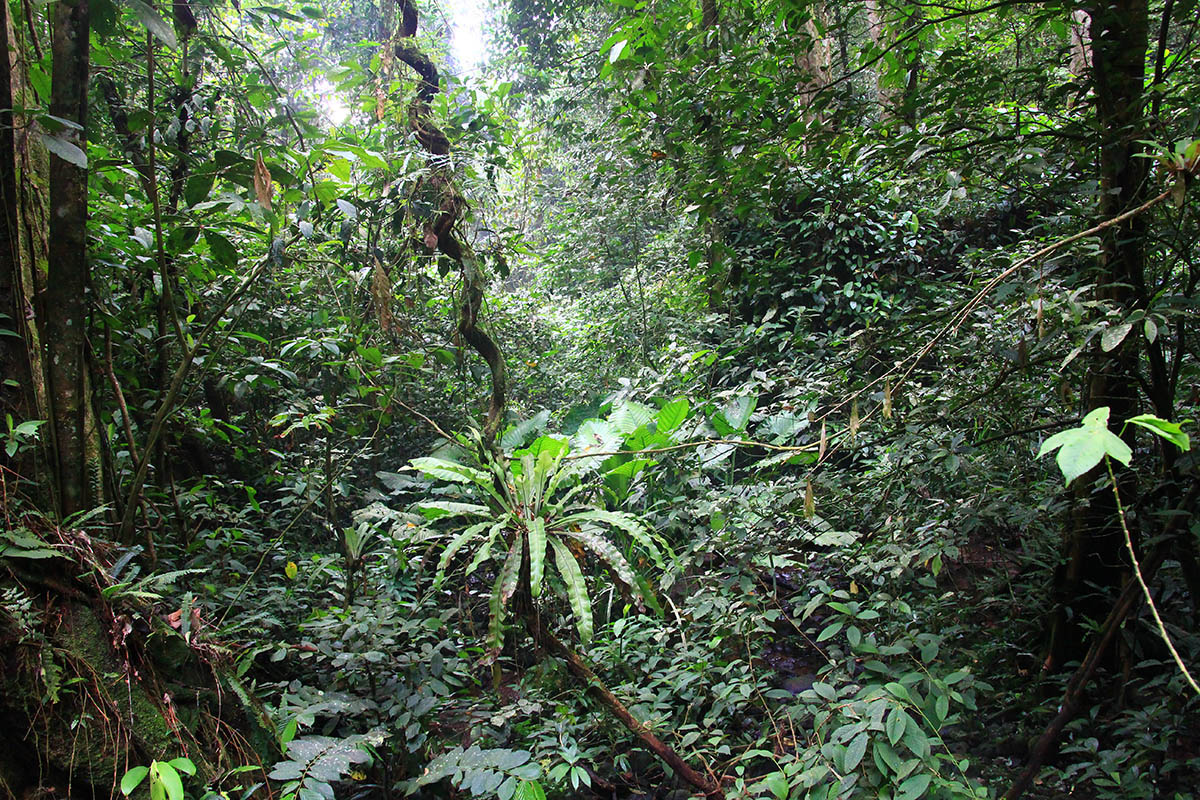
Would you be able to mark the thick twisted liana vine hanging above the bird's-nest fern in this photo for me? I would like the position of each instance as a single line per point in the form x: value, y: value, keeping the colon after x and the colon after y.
x: 440, y: 228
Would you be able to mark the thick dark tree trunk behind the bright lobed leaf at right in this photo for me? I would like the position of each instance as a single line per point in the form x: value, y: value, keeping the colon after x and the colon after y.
x: 1096, y: 546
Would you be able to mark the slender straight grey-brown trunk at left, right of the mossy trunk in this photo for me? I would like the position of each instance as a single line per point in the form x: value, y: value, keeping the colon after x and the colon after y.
x: 68, y: 285
